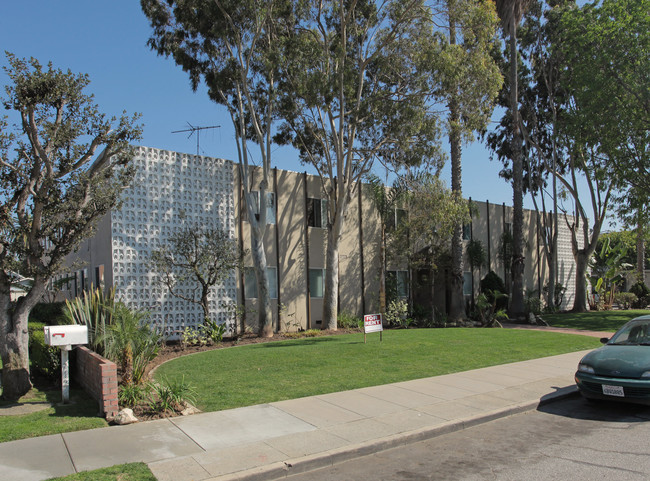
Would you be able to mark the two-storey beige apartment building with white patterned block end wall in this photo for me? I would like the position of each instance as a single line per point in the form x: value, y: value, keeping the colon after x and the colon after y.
x: 207, y: 191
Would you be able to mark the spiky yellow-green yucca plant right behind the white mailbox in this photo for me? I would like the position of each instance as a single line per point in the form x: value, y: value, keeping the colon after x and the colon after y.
x: 95, y: 310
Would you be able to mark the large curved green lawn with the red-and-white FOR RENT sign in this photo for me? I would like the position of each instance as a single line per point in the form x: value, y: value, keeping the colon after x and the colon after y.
x: 261, y: 373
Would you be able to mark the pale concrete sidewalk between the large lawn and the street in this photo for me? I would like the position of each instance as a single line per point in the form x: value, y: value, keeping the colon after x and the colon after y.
x: 274, y: 440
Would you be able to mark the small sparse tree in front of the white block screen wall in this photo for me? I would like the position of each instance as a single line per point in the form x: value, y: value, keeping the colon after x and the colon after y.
x: 203, y: 256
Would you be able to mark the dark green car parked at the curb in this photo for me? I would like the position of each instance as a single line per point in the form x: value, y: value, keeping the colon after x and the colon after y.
x: 620, y: 370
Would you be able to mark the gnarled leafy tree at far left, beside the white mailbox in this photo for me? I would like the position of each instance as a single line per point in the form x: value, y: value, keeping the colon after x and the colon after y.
x: 53, y: 192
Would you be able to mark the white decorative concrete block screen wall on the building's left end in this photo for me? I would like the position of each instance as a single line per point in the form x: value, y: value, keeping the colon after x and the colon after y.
x: 169, y: 190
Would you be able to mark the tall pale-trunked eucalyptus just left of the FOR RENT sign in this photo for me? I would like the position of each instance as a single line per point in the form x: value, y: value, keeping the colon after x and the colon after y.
x: 355, y: 89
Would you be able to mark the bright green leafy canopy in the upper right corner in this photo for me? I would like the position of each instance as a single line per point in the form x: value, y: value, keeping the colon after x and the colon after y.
x: 606, y: 44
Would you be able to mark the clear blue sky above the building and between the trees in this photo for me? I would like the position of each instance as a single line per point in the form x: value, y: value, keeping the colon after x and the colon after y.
x: 107, y: 40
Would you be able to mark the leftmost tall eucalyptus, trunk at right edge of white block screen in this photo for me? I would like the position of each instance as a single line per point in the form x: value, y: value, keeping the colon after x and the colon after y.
x: 234, y: 46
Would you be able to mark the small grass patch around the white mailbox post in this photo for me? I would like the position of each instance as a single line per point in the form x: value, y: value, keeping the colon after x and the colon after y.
x: 80, y: 414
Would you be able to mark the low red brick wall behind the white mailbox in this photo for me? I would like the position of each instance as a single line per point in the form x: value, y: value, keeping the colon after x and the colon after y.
x: 98, y: 376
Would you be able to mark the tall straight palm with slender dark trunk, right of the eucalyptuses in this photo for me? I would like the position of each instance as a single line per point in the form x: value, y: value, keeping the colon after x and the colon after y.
x: 510, y: 13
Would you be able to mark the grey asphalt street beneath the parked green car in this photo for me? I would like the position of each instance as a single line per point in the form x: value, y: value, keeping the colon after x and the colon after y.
x: 570, y: 439
